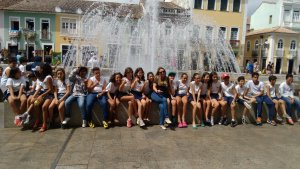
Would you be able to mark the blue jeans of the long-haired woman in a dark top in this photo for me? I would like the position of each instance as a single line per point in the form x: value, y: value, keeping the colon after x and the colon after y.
x: 163, y: 106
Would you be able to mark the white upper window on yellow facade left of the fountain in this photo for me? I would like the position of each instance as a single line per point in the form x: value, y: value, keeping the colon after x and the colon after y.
x: 68, y: 26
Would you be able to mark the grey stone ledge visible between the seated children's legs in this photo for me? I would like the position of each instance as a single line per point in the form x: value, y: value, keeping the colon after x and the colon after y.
x: 7, y: 116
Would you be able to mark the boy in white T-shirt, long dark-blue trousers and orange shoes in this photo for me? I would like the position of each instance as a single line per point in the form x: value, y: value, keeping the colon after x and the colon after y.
x: 256, y: 91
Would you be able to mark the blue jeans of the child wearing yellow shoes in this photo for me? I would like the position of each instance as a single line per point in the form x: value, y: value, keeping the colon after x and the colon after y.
x: 102, y: 101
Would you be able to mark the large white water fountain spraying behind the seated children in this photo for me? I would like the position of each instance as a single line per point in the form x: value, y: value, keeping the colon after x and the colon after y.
x: 123, y: 35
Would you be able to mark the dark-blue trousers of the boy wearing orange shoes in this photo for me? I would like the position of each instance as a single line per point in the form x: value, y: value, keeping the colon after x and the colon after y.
x: 260, y: 100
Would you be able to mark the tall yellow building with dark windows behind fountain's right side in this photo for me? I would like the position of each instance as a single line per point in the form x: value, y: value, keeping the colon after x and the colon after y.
x: 228, y: 16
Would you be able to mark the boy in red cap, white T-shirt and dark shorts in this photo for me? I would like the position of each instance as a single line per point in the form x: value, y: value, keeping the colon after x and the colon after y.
x: 228, y: 91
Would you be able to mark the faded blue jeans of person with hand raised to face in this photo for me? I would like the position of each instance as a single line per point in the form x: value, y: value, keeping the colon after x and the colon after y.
x: 81, y: 104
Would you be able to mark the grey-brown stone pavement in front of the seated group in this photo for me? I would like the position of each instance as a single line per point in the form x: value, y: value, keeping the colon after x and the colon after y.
x: 119, y: 147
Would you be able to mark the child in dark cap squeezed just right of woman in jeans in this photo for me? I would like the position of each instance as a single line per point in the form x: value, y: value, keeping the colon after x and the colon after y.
x: 172, y: 103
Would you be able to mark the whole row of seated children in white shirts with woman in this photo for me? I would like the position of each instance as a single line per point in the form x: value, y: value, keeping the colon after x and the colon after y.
x: 34, y: 96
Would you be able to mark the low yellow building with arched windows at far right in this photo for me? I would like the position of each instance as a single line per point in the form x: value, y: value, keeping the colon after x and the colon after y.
x: 276, y: 45
